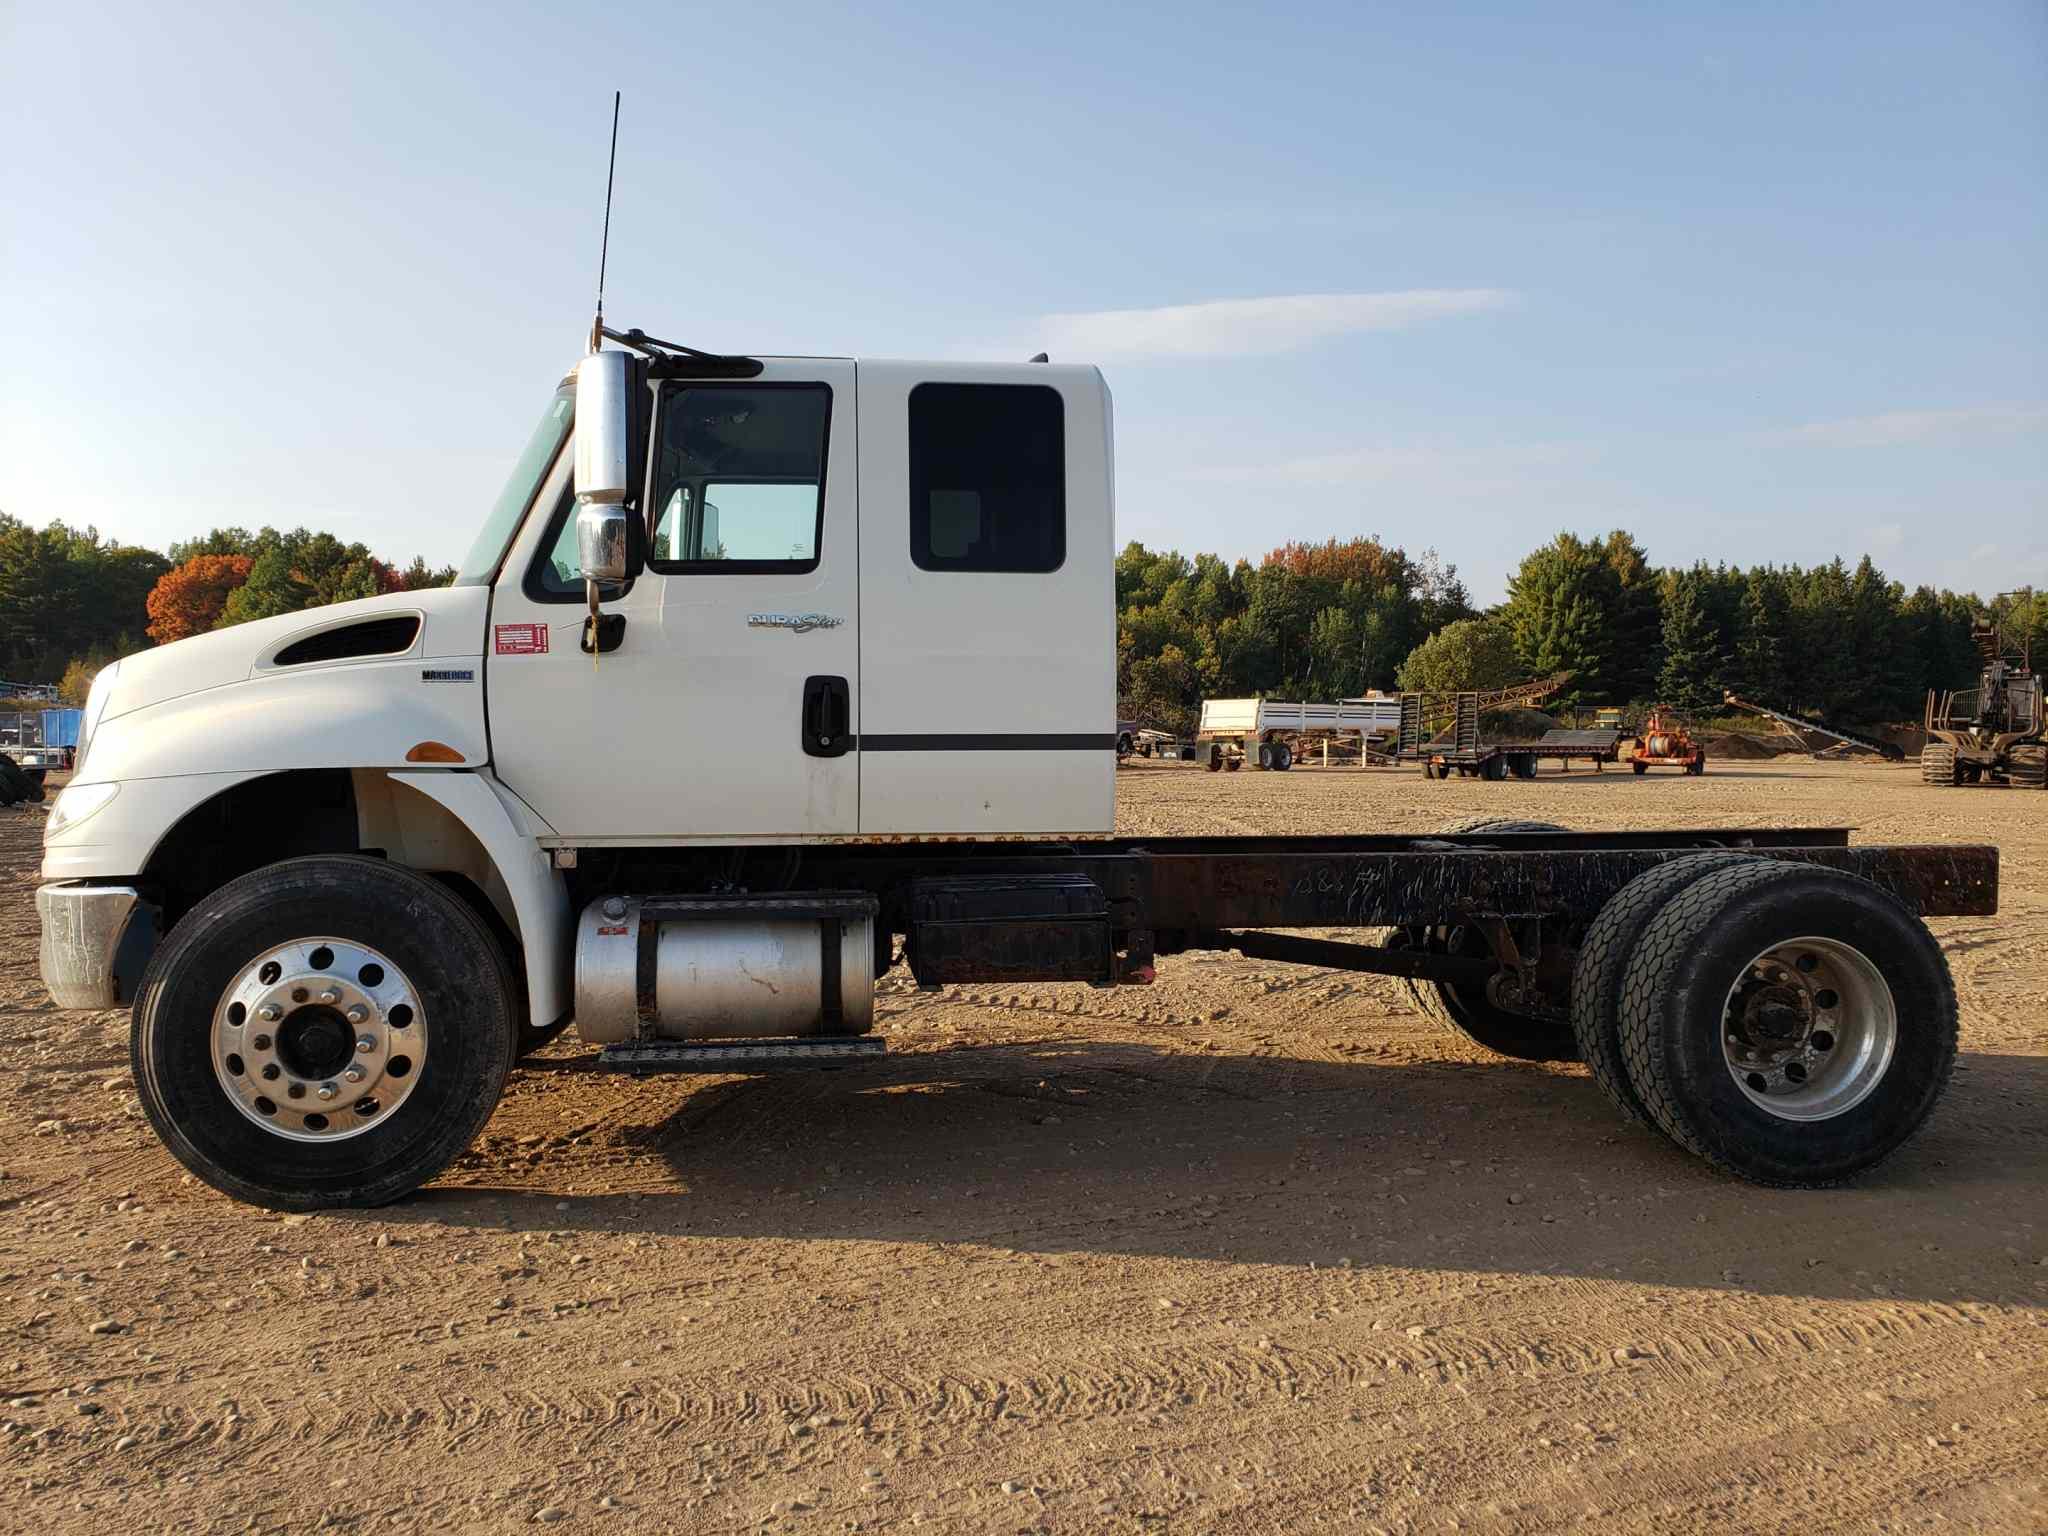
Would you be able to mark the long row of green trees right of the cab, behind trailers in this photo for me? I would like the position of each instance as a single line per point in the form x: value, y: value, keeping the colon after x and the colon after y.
x: 1332, y: 622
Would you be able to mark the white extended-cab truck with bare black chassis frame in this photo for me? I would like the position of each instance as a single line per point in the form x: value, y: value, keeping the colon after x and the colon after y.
x: 349, y: 865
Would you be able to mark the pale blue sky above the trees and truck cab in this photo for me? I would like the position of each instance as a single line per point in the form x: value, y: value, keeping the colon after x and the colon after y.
x: 1758, y: 284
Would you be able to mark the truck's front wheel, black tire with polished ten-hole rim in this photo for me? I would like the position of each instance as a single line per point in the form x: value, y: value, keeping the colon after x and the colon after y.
x: 325, y: 1033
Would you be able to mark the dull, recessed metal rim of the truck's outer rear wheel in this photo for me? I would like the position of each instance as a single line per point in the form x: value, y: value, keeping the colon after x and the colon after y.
x: 1809, y: 1029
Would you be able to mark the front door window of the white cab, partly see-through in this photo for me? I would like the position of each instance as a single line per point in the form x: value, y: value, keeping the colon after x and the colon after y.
x: 740, y: 478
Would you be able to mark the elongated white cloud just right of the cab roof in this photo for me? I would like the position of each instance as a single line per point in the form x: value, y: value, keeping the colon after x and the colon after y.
x: 1252, y: 327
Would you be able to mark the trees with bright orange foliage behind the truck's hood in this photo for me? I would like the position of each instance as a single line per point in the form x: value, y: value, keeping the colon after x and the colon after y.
x: 73, y: 601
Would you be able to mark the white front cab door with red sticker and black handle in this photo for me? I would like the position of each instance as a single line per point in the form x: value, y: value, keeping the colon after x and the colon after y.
x: 730, y: 708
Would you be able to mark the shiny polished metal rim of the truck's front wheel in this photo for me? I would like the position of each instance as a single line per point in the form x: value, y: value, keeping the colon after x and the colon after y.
x: 318, y: 1039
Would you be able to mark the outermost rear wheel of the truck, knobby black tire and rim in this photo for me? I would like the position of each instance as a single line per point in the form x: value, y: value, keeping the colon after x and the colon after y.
x: 1785, y: 1078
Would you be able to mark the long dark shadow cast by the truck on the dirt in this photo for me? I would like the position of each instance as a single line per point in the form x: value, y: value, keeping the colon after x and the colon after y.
x: 1060, y: 1146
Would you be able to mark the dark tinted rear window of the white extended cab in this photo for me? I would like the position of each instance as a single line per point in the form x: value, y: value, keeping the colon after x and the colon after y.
x: 988, y: 478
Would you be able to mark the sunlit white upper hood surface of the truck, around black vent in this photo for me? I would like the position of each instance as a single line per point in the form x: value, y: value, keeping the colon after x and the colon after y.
x: 452, y: 626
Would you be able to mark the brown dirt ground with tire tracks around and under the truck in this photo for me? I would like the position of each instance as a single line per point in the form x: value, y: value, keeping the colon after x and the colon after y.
x: 1252, y: 1250
